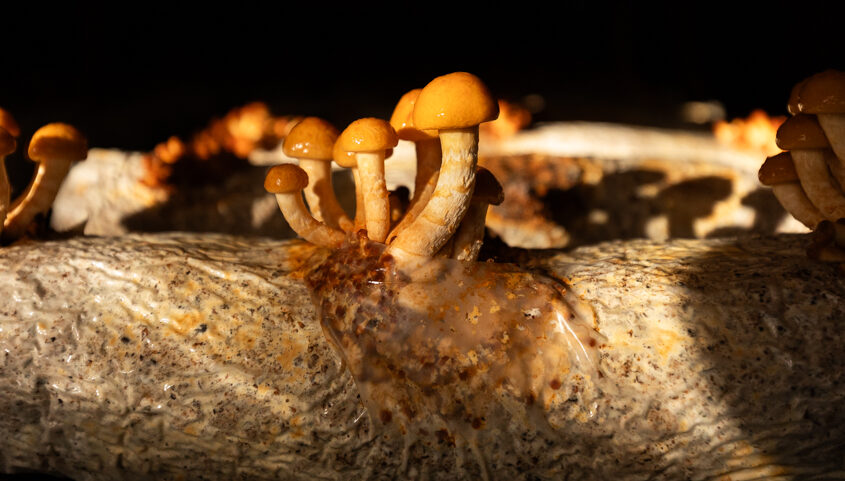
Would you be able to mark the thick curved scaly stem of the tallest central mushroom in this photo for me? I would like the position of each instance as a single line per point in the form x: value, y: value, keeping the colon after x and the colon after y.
x: 450, y: 199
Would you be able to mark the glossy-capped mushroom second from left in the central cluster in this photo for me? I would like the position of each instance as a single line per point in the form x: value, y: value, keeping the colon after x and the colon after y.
x: 311, y: 141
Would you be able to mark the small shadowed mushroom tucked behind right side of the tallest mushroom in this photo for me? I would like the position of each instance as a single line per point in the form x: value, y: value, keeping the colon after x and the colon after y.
x: 470, y: 235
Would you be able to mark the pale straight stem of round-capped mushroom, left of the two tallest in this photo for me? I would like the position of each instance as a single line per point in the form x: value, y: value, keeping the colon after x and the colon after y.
x: 371, y: 171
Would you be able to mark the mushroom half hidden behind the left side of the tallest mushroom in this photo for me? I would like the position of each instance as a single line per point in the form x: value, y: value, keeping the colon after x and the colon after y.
x: 429, y: 155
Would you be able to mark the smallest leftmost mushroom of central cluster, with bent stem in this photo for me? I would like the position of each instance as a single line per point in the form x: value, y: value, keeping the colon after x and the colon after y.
x: 287, y: 181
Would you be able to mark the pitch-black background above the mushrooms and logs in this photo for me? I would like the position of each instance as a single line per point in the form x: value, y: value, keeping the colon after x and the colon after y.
x: 131, y: 74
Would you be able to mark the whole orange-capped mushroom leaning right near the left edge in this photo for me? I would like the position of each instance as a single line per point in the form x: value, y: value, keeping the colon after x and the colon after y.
x: 55, y: 147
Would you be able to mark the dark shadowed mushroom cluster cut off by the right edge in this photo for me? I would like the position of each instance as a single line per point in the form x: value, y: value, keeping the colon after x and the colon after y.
x: 808, y: 179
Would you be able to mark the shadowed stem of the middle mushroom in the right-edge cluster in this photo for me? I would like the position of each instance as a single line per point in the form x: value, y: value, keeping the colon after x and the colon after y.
x: 818, y: 183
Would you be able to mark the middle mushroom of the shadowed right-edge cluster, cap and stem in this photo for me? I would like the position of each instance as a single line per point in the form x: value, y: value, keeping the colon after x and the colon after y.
x: 809, y: 149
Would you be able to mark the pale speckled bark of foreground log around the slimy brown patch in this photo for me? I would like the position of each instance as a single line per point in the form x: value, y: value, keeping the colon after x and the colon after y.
x: 184, y: 357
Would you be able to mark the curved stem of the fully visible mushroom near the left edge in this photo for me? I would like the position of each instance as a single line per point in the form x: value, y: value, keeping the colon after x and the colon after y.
x: 37, y: 198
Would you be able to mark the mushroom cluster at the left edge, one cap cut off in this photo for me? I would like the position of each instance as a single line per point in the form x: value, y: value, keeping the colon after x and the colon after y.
x: 55, y: 147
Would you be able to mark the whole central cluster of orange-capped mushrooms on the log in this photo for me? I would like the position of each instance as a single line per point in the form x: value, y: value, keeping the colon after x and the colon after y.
x: 445, y: 217
